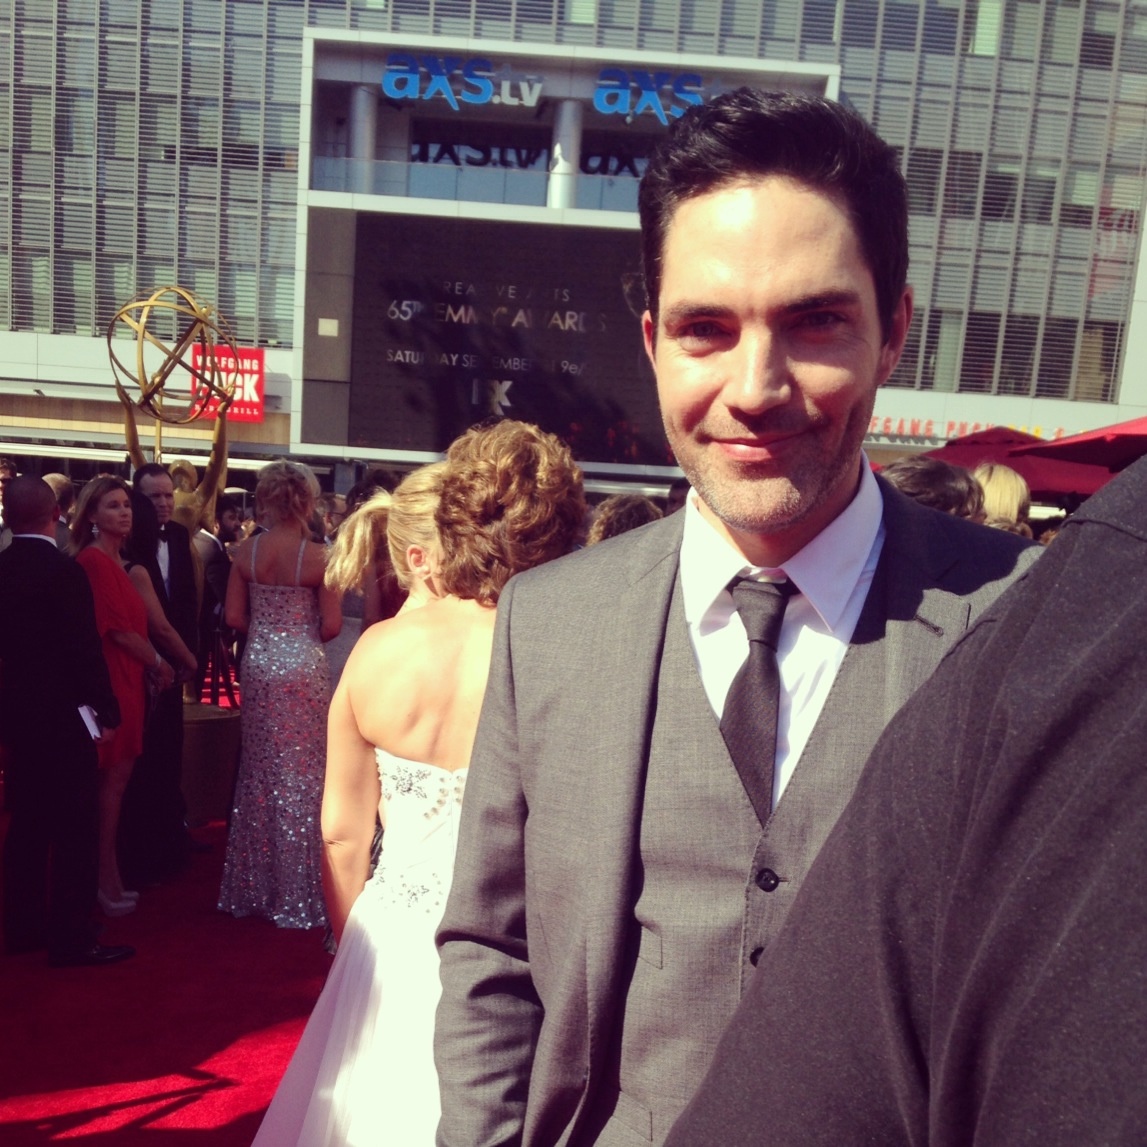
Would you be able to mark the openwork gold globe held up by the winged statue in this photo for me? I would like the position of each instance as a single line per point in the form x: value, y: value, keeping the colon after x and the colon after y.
x: 198, y: 324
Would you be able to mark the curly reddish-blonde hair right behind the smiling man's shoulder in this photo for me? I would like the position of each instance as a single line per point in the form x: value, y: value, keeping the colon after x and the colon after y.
x: 512, y: 498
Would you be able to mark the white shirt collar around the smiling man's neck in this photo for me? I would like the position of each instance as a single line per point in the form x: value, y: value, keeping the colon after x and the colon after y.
x: 826, y: 571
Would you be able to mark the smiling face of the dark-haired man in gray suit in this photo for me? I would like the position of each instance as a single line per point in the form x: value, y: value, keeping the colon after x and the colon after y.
x: 769, y: 352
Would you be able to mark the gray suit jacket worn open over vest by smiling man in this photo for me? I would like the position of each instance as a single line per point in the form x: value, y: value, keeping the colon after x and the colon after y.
x: 535, y: 931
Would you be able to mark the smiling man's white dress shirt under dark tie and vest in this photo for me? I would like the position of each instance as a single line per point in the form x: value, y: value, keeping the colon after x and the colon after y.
x: 833, y: 574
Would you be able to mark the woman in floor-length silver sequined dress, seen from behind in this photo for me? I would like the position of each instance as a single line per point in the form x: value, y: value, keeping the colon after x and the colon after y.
x: 277, y: 597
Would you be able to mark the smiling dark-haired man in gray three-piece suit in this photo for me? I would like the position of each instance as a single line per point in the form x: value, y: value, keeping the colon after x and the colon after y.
x: 617, y: 880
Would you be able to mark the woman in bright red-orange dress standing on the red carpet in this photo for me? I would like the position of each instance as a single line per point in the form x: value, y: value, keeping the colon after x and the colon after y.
x: 103, y: 524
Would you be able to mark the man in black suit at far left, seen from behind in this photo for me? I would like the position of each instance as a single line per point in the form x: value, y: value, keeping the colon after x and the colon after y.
x: 51, y: 665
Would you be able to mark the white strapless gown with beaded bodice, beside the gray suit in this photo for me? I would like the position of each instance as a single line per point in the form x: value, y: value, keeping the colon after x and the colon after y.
x: 364, y: 1073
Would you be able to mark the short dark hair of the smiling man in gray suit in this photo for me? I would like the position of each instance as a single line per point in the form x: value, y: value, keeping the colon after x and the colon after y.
x: 750, y: 135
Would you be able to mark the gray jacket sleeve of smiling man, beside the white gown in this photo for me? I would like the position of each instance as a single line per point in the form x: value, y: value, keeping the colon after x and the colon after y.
x: 490, y: 1013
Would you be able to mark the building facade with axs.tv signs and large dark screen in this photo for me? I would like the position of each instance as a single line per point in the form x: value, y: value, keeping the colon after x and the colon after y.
x: 345, y: 178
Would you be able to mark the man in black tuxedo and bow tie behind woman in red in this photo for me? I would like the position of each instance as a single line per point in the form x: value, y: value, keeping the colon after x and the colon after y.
x: 153, y: 838
